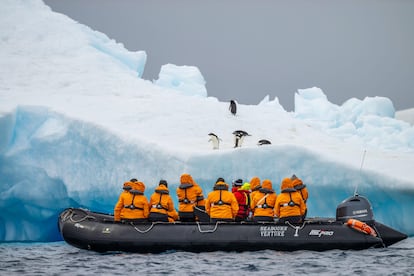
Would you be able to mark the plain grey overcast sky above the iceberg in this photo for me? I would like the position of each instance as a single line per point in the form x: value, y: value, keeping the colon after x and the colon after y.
x: 247, y: 49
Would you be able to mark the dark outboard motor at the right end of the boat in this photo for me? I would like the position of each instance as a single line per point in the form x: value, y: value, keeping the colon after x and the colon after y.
x: 355, y: 207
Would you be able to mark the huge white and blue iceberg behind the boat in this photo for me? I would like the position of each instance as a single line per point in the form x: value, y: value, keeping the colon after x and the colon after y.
x: 77, y: 120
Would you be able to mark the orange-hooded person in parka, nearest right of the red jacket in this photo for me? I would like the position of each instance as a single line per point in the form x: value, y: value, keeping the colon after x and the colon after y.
x: 263, y: 202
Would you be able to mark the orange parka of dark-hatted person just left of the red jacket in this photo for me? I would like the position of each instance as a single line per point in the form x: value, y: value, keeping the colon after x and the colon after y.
x: 220, y: 203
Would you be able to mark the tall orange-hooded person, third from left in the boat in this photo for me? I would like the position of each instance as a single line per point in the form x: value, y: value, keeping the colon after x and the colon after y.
x: 188, y: 193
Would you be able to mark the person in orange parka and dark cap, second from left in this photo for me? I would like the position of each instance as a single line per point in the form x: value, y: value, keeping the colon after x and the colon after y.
x: 161, y: 203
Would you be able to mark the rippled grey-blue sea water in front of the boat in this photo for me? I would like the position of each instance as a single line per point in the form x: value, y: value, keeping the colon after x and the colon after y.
x: 59, y: 258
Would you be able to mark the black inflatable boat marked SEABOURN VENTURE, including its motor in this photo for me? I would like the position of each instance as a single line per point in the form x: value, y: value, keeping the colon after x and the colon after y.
x: 353, y: 228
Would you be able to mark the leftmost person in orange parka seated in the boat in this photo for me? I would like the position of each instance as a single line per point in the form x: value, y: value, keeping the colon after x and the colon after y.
x: 132, y: 205
